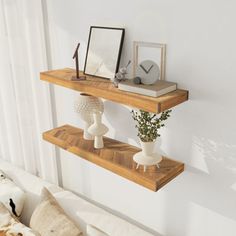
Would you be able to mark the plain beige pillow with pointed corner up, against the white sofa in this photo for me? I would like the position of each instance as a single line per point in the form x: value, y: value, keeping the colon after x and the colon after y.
x: 49, y: 219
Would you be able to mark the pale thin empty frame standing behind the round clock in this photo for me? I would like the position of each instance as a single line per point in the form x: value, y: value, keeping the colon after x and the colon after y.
x: 137, y: 44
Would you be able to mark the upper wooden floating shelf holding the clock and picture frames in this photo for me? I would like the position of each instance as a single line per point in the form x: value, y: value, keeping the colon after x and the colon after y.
x: 104, y: 89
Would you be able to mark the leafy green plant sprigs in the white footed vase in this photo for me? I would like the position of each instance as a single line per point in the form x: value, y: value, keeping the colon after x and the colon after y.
x: 148, y: 124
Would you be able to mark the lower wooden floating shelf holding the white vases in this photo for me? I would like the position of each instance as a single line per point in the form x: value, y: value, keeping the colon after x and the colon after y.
x: 115, y: 156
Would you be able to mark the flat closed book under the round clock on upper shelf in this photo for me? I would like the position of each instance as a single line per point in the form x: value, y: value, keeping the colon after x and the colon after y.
x: 160, y: 88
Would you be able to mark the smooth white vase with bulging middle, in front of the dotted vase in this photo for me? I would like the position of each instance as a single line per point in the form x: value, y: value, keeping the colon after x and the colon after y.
x: 98, y: 130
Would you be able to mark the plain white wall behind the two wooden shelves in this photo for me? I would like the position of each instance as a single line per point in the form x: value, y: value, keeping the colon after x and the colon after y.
x: 201, y: 57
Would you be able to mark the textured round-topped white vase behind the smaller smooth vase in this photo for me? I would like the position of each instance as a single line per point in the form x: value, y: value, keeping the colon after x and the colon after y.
x: 85, y: 106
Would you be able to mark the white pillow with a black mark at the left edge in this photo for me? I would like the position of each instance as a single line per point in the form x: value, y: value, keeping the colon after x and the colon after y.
x: 11, y: 195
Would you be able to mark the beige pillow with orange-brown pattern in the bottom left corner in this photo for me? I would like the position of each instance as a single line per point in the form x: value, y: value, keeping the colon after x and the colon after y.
x: 10, y: 226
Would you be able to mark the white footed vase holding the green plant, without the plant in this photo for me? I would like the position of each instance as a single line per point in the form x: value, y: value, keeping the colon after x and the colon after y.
x: 147, y: 157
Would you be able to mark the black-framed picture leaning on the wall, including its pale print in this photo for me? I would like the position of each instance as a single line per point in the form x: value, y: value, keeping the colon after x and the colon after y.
x: 104, y: 51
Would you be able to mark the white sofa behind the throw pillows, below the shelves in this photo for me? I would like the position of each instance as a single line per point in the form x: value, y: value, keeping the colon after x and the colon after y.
x: 81, y: 211
